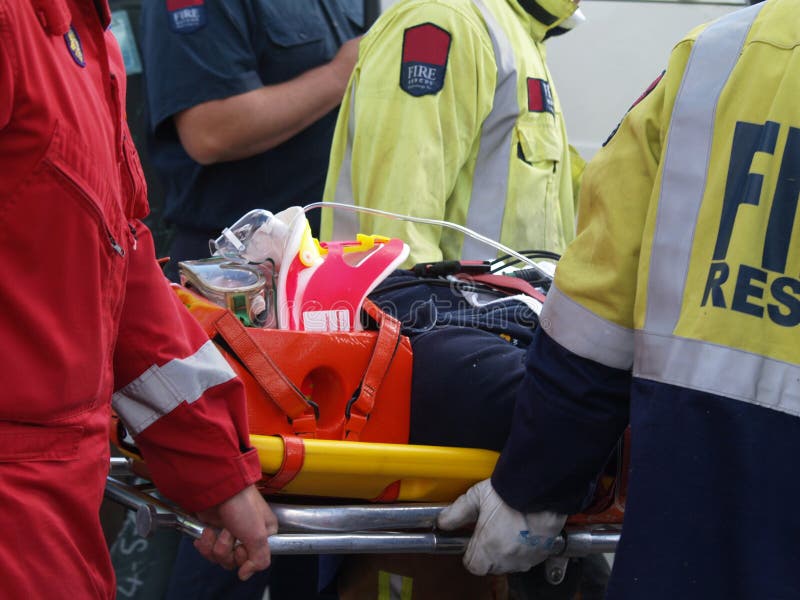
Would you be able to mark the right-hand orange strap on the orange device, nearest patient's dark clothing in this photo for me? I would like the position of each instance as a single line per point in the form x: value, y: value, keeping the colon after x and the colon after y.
x: 385, y: 347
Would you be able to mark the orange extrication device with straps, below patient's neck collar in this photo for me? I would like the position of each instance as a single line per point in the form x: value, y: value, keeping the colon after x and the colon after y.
x: 352, y: 386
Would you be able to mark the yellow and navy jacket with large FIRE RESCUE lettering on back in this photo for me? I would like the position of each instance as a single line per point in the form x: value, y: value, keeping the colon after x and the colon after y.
x: 676, y: 309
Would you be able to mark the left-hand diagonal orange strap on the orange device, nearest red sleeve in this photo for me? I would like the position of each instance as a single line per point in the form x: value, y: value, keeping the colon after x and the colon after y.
x: 271, y: 379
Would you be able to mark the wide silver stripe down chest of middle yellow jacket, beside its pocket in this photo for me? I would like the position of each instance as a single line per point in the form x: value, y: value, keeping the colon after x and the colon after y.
x: 490, y: 182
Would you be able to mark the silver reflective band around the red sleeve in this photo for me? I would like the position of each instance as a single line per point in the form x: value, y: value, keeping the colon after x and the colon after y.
x: 160, y: 389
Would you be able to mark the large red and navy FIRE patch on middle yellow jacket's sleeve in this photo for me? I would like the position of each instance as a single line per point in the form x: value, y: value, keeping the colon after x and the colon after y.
x: 425, y: 51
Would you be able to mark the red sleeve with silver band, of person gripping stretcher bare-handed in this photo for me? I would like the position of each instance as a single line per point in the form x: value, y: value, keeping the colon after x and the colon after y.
x: 176, y: 394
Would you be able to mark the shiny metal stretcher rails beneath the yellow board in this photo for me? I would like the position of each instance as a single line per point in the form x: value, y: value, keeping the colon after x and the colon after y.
x: 350, y: 529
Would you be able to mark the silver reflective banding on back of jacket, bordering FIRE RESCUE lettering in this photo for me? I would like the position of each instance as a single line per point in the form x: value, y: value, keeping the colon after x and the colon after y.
x: 660, y: 355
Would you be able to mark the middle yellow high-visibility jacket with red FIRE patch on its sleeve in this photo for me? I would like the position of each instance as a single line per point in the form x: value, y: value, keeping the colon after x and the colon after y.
x: 451, y: 114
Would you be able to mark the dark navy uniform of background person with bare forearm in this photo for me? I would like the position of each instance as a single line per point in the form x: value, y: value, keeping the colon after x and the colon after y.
x: 196, y: 51
